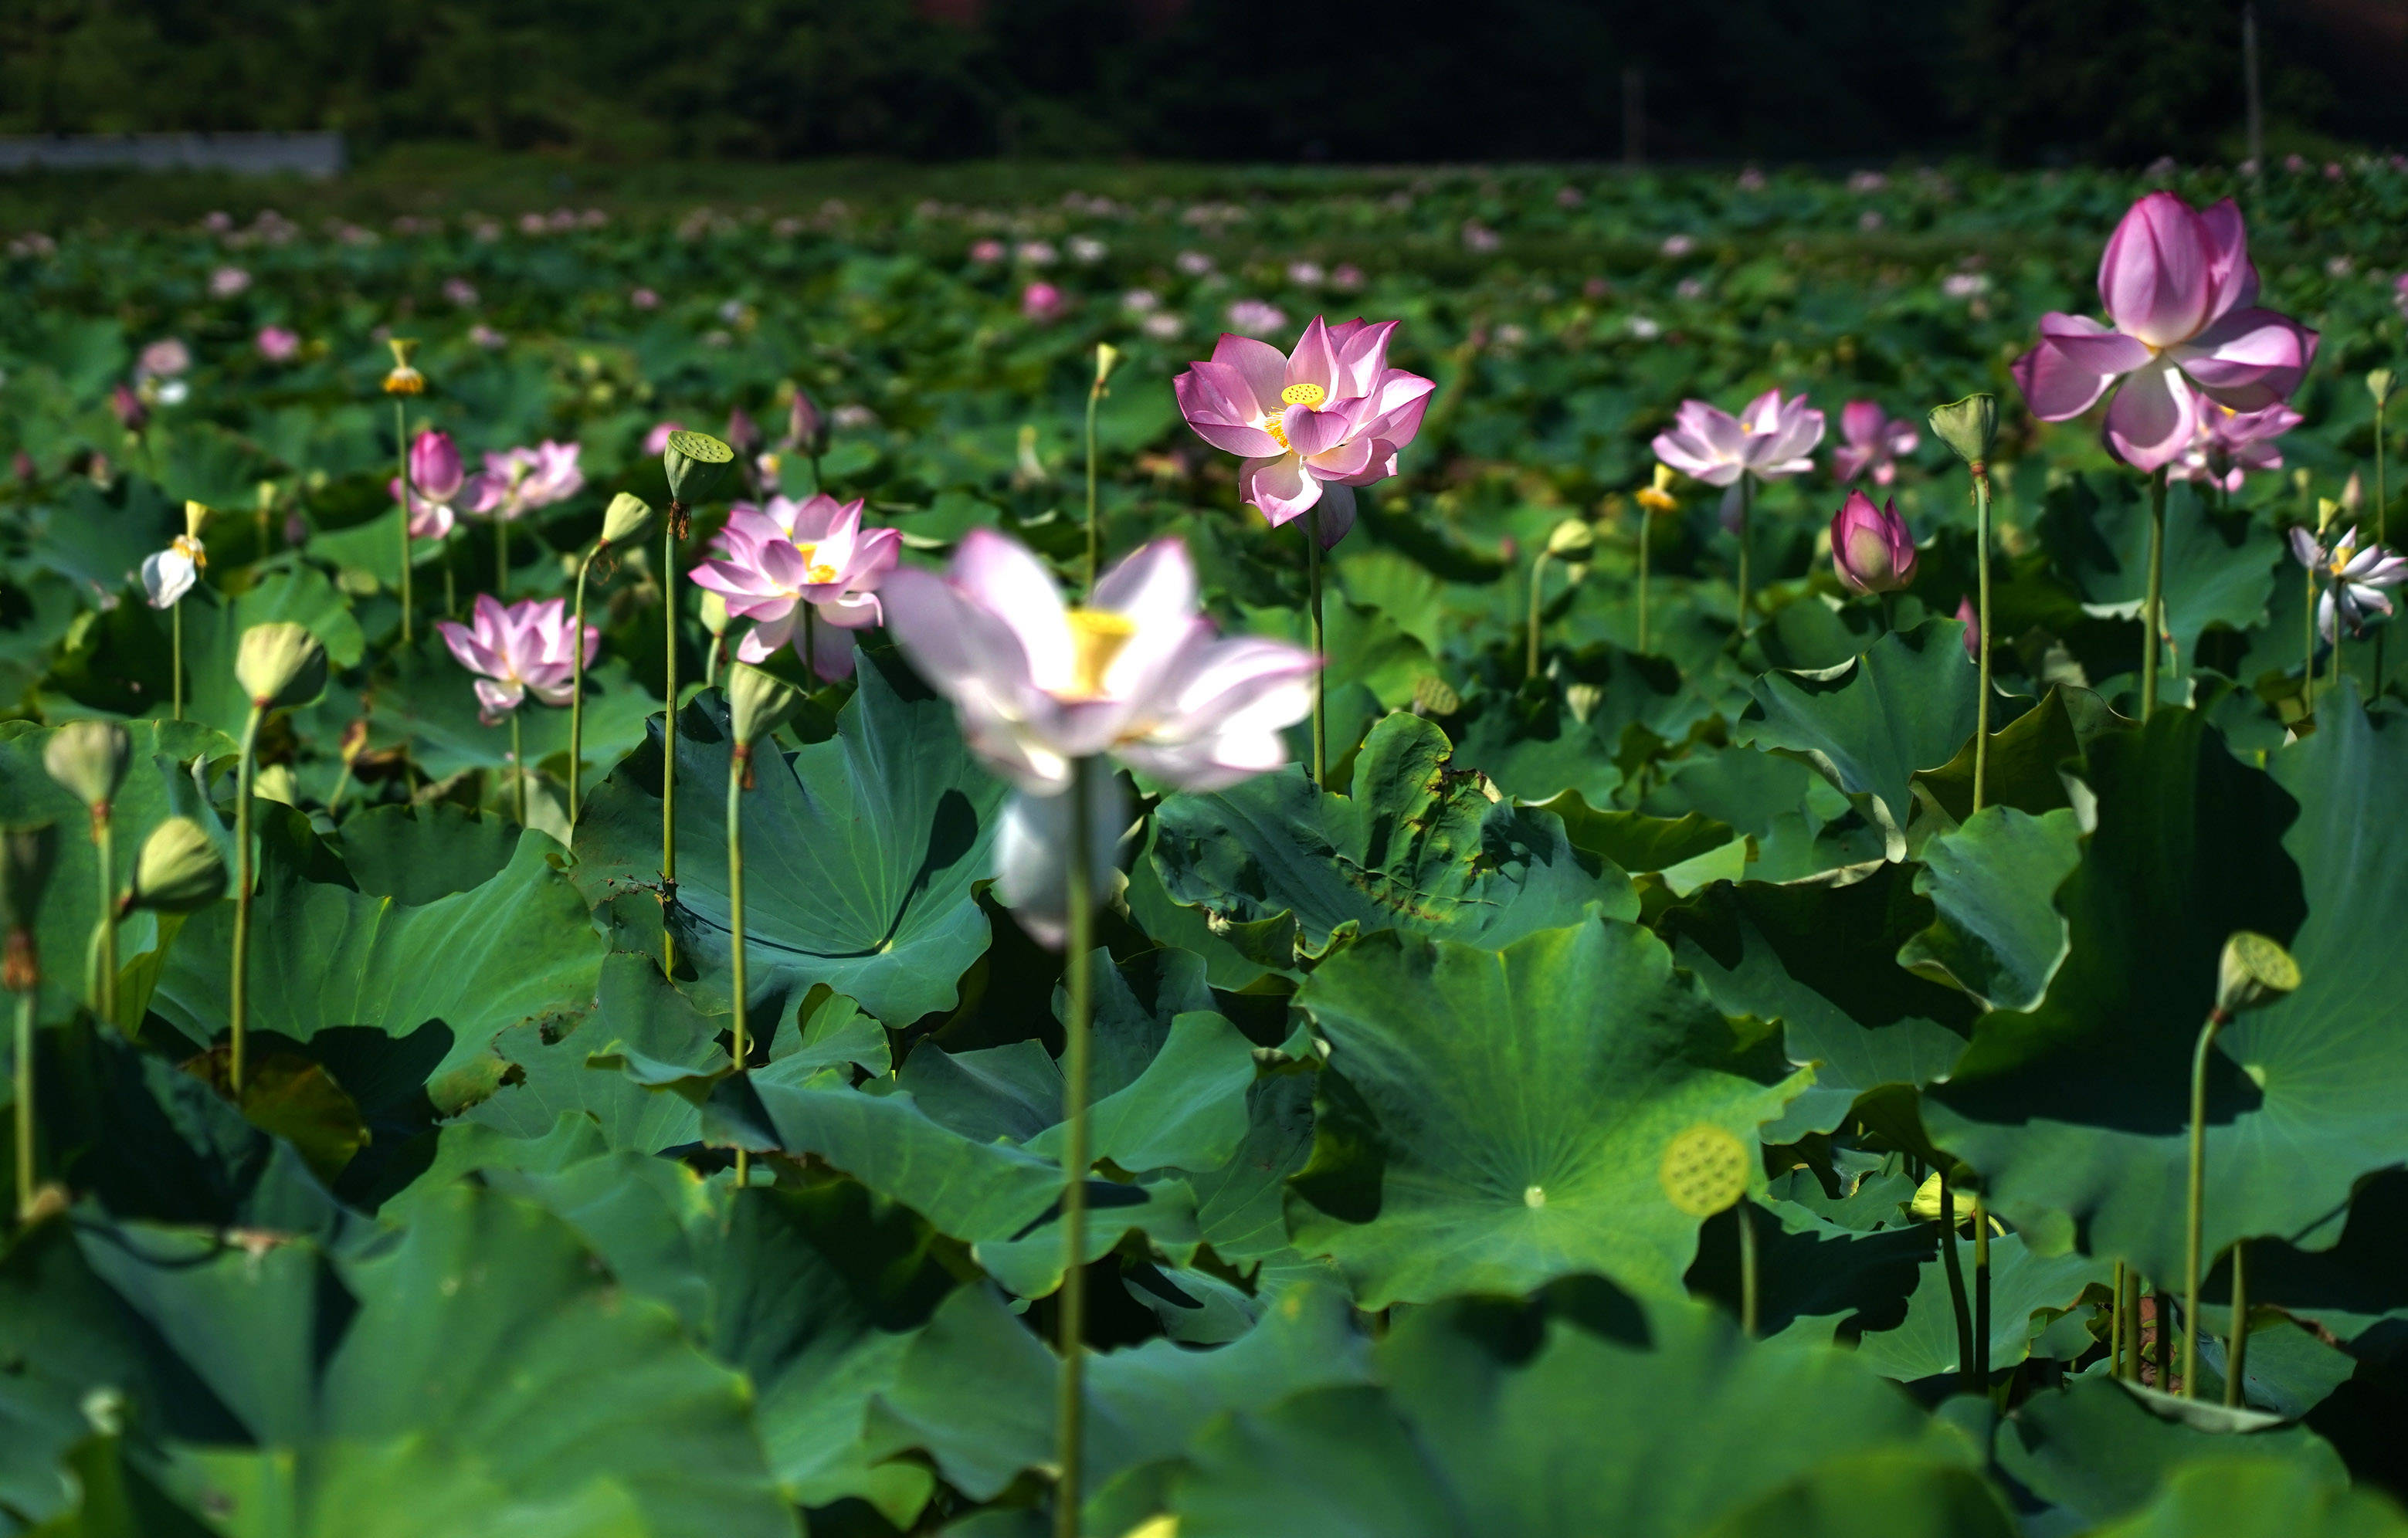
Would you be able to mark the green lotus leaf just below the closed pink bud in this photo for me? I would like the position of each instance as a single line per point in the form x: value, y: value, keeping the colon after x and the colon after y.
x: 1908, y: 704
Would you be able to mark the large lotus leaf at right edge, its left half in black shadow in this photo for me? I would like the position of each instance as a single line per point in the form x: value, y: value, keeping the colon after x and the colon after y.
x: 2077, y: 1113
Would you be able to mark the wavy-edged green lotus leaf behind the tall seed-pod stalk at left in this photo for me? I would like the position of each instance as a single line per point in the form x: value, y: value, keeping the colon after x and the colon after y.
x: 483, y: 962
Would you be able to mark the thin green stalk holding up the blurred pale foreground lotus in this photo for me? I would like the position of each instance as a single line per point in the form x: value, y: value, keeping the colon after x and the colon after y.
x: 1070, y: 1392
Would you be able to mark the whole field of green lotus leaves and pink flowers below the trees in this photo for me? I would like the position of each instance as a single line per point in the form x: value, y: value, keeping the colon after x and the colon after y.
x: 1456, y: 853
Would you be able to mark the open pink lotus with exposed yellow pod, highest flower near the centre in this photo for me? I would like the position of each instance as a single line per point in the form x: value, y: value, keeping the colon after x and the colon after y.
x: 1311, y: 425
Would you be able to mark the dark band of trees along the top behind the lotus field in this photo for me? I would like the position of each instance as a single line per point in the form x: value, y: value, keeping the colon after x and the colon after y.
x: 1407, y: 81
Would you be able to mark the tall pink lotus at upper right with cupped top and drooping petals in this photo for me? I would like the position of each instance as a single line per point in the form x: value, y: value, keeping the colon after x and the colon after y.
x: 2183, y: 297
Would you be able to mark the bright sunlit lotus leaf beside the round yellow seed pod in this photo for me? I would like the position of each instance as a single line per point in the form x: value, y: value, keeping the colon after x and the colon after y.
x: 1492, y: 1120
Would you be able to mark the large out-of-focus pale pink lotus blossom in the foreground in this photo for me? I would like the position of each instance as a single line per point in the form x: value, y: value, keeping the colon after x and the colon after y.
x: 1138, y: 673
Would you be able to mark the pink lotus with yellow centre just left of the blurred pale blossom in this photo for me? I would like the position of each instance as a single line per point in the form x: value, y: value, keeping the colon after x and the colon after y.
x: 774, y: 562
